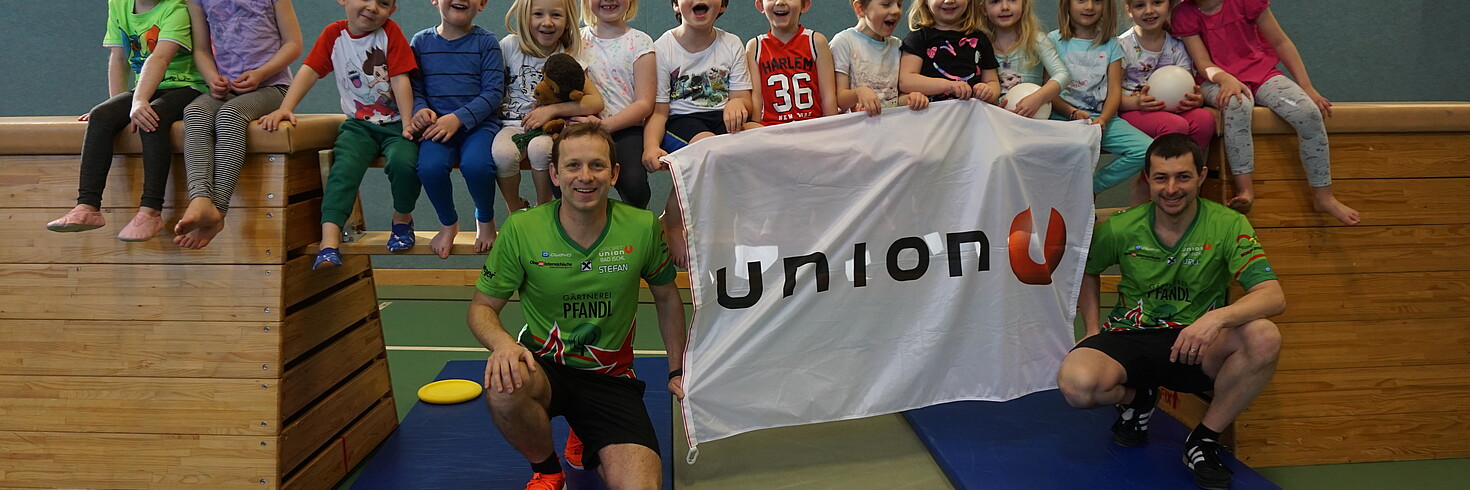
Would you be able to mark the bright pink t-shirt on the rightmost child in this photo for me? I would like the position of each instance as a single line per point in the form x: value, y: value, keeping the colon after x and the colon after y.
x: 1233, y: 39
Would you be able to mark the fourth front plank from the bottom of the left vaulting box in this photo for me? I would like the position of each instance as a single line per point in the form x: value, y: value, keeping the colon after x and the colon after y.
x: 143, y: 292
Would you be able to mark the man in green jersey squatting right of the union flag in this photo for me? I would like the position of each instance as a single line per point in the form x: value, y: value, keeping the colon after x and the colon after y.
x: 1172, y: 326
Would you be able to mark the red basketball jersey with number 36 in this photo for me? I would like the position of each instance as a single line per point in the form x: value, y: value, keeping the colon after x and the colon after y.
x: 789, y: 79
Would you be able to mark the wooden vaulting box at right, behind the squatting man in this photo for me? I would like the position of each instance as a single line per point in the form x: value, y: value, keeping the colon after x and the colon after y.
x: 1375, y: 360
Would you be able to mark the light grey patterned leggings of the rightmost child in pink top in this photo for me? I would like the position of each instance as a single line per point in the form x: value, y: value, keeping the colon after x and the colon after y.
x: 1288, y: 101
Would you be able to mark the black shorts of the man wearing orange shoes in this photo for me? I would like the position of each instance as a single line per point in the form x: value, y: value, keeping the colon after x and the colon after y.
x: 602, y: 410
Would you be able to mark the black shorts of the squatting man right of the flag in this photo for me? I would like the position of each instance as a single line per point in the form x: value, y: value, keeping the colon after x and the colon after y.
x: 1144, y: 354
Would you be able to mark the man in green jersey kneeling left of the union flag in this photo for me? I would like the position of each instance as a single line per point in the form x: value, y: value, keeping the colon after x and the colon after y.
x: 577, y: 264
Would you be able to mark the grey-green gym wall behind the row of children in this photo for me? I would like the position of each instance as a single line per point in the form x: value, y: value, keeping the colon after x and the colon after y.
x: 1358, y: 51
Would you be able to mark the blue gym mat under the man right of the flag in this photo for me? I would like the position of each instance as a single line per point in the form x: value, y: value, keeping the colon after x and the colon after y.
x: 1040, y: 442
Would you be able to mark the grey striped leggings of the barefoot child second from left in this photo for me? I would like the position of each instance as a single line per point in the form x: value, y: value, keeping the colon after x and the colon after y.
x: 215, y: 141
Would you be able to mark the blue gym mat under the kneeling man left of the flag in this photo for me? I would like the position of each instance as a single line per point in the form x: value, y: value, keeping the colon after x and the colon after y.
x: 458, y: 447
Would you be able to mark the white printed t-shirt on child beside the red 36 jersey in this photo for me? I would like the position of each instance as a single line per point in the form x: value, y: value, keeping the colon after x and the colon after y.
x: 700, y: 82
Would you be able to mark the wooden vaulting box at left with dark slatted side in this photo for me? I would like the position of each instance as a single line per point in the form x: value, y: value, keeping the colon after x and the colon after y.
x: 148, y: 366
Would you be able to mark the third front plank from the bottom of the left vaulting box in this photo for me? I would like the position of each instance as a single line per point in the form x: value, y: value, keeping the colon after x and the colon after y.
x: 140, y: 349
